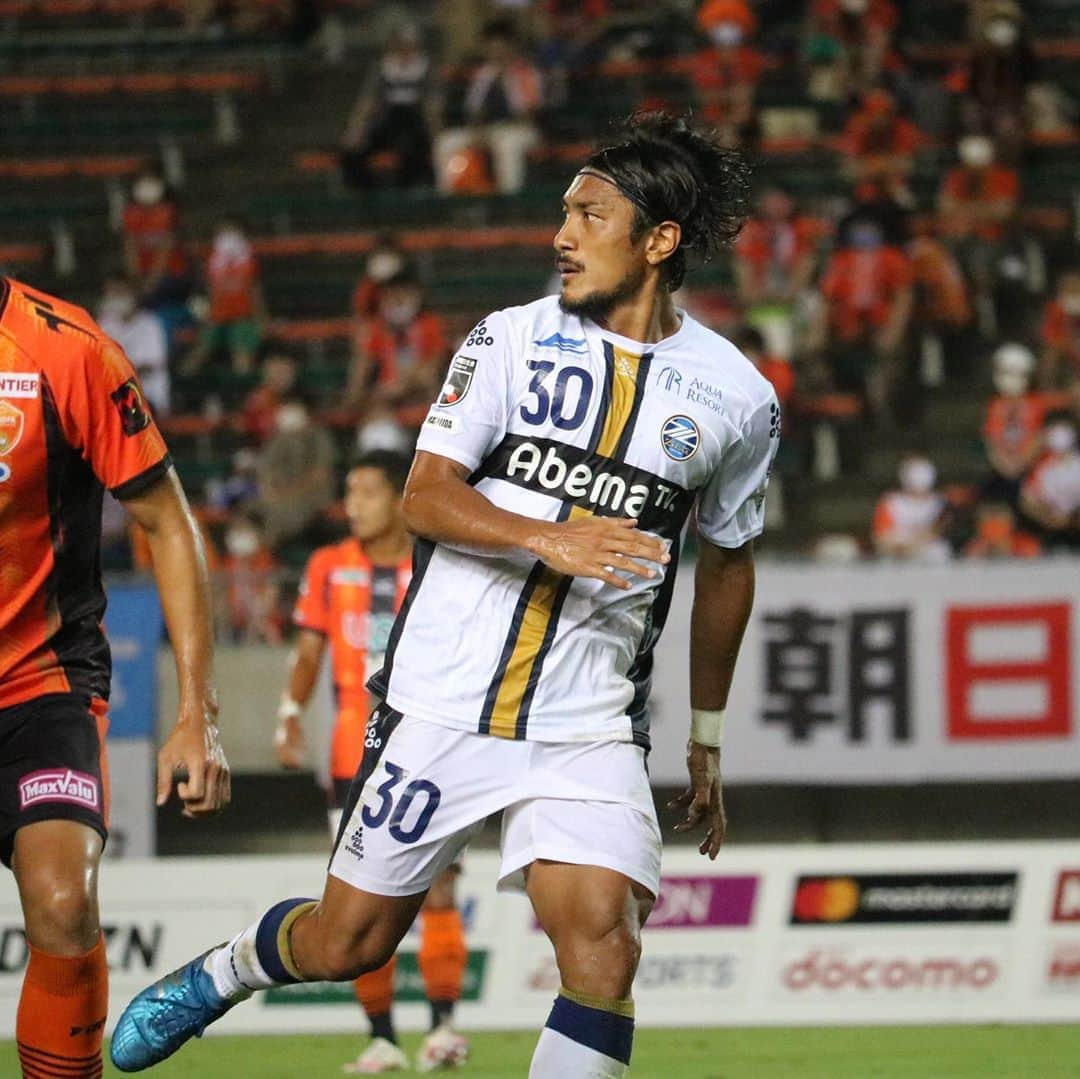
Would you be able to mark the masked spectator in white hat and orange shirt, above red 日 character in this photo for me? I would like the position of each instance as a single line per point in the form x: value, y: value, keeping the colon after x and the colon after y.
x: 1012, y: 429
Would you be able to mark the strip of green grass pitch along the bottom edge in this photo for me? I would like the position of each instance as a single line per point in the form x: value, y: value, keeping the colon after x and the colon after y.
x: 933, y: 1053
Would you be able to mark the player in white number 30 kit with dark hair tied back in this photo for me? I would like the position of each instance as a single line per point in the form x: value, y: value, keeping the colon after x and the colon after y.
x: 555, y: 474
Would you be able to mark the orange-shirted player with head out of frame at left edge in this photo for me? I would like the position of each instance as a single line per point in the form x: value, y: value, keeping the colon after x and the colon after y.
x: 73, y: 423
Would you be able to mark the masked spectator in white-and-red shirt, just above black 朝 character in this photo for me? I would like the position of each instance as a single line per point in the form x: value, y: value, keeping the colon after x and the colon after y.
x: 908, y: 523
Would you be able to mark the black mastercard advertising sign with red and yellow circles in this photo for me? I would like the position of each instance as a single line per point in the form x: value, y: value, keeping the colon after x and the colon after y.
x: 904, y: 899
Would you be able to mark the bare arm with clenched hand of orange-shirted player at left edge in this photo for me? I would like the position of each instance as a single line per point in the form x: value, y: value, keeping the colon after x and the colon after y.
x: 180, y: 569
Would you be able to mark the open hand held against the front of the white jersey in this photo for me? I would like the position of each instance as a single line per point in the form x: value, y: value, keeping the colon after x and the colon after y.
x: 598, y: 547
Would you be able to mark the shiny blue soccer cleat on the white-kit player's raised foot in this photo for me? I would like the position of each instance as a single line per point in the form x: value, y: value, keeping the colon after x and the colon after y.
x: 165, y: 1016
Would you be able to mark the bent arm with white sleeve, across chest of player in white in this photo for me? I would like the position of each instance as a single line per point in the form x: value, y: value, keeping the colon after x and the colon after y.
x: 471, y: 419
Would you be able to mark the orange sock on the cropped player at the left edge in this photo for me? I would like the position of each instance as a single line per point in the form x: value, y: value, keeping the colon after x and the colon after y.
x: 62, y: 1015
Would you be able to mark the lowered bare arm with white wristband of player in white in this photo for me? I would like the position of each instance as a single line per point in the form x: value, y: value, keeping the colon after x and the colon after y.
x: 723, y: 599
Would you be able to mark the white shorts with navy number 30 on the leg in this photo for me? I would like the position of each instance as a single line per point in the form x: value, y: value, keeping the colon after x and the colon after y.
x: 433, y: 788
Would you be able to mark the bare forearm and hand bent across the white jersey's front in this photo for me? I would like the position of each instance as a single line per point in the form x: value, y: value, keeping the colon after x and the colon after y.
x: 441, y: 506
